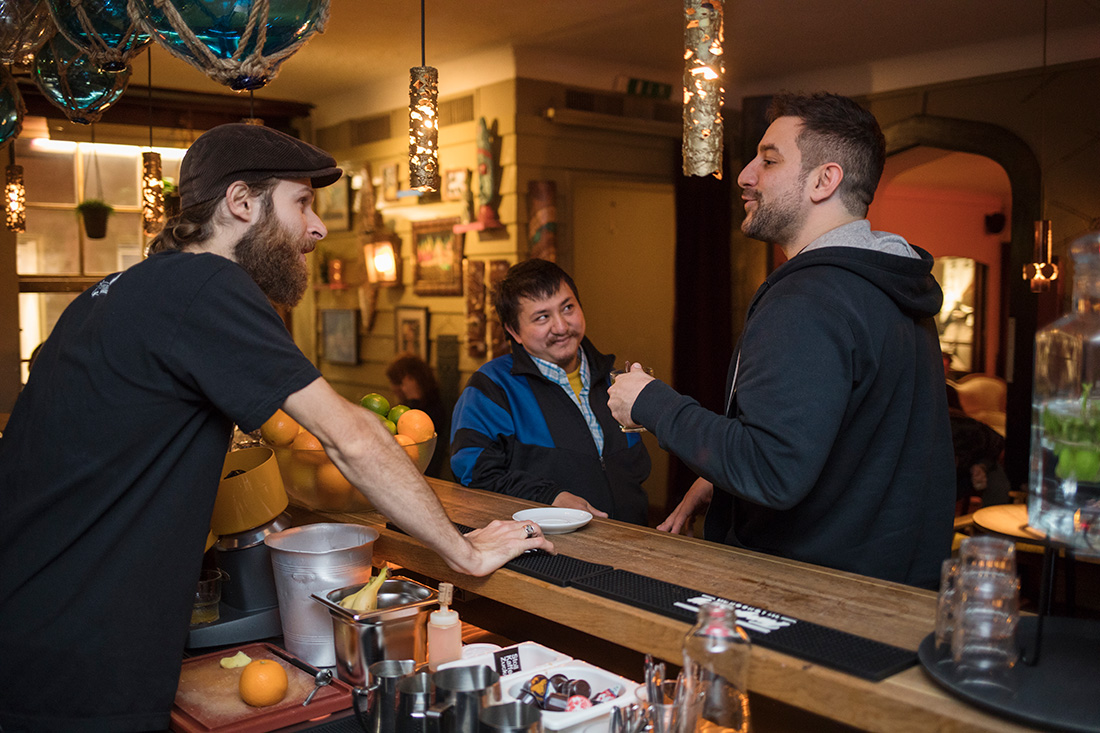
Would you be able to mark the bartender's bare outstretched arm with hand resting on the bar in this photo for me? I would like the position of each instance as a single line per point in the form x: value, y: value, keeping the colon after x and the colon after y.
x: 369, y: 457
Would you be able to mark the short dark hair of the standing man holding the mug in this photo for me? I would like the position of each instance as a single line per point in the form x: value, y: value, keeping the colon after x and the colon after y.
x: 837, y: 129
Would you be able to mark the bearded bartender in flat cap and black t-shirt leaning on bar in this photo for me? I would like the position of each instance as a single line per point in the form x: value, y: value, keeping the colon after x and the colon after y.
x: 112, y: 461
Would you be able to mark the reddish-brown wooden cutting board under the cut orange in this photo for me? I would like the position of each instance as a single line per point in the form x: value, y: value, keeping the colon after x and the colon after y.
x: 208, y: 701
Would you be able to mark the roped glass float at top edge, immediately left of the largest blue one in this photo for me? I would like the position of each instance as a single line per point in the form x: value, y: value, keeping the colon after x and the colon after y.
x: 114, y: 39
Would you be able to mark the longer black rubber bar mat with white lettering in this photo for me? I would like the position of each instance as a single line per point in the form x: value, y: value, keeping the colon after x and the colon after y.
x: 848, y: 653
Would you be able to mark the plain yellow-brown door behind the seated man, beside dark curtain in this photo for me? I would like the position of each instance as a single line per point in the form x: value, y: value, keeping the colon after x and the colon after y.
x: 623, y: 266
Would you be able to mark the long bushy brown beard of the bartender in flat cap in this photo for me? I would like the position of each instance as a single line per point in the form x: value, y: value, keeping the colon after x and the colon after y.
x: 272, y: 257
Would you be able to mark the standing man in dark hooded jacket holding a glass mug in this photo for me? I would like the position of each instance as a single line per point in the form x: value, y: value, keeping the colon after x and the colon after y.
x: 835, y: 447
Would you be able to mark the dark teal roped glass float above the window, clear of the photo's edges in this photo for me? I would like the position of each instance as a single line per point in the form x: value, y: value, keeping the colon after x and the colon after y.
x: 74, y: 84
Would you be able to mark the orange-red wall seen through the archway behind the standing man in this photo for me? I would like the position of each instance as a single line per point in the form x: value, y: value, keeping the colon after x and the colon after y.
x: 950, y: 224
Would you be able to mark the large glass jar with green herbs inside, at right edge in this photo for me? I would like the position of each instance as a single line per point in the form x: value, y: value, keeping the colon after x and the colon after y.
x: 1064, y: 498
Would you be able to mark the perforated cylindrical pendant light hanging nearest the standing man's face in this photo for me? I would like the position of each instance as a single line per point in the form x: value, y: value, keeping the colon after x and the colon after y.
x: 705, y: 70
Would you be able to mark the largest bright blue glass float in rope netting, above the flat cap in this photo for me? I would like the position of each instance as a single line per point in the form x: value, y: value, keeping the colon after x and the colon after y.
x: 214, y: 36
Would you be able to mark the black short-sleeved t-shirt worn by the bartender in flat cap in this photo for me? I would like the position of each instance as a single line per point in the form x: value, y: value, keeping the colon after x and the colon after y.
x: 109, y: 467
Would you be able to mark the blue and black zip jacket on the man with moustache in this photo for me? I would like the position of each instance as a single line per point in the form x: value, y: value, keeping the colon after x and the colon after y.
x: 516, y: 433
